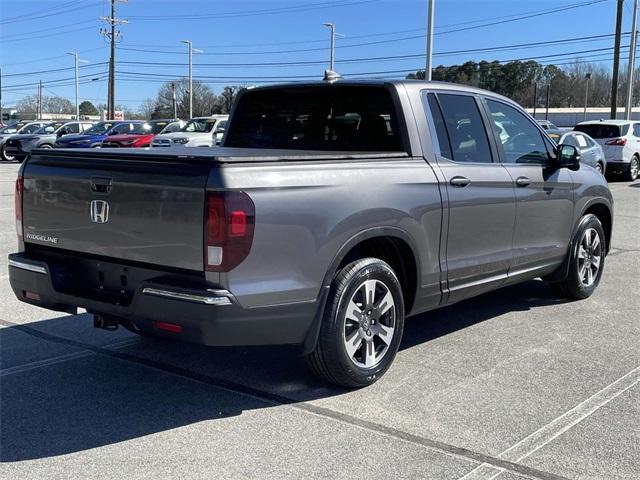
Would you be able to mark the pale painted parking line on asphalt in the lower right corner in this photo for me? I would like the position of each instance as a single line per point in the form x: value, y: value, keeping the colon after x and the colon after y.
x: 557, y: 427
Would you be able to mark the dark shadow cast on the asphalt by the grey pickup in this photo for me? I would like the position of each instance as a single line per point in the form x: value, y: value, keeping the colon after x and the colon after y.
x: 102, y: 399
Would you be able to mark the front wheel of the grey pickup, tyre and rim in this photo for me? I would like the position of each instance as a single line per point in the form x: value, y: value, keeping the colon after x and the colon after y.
x: 586, y: 262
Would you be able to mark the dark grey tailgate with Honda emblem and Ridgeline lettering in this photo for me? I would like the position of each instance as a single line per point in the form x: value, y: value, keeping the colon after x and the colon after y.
x: 130, y: 208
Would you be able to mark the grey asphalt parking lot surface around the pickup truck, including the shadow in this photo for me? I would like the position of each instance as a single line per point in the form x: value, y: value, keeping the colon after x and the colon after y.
x: 514, y: 384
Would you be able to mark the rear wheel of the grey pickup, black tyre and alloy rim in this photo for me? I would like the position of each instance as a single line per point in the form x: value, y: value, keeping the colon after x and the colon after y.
x: 362, y: 325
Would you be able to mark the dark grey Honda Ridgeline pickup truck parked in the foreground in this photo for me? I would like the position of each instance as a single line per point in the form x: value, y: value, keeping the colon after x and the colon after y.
x: 330, y: 213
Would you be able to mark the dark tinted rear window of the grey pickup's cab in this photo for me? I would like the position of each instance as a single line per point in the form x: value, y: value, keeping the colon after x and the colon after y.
x: 329, y: 118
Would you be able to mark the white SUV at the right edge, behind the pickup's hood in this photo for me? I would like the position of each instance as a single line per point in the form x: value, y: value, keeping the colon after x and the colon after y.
x: 620, y: 140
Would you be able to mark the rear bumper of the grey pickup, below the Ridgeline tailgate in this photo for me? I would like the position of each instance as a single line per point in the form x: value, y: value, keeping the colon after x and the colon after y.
x: 207, y: 314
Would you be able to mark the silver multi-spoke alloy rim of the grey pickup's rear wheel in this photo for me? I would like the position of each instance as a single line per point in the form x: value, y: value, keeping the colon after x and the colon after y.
x: 369, y: 324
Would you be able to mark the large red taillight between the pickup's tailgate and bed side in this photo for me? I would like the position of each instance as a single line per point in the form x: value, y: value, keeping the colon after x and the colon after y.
x: 228, y: 234
